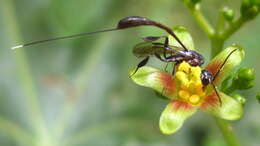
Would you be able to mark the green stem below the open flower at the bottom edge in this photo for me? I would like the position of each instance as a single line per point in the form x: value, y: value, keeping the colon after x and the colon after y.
x: 227, y: 132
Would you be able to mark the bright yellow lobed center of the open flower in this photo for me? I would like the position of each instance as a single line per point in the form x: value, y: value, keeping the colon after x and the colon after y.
x: 190, y: 87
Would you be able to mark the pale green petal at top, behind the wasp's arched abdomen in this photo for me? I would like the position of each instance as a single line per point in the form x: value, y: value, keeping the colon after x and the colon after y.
x: 184, y: 36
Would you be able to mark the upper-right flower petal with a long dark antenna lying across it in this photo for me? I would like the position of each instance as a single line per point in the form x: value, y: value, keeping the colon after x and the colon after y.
x: 234, y: 60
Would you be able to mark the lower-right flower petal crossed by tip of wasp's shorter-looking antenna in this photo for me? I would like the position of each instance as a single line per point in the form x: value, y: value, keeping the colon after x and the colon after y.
x: 230, y: 109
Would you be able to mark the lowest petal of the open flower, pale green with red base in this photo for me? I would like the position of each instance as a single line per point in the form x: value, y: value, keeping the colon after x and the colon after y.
x: 174, y: 115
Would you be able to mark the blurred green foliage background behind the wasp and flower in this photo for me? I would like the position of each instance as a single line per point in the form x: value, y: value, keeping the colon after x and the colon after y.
x: 77, y: 91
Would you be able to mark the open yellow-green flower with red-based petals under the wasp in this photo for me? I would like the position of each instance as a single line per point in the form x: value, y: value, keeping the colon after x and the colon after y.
x: 187, y: 93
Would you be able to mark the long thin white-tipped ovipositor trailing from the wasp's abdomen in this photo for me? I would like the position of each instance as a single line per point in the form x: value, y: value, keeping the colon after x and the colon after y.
x: 62, y: 37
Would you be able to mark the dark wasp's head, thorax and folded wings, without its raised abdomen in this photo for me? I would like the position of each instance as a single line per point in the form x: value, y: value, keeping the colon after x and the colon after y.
x: 175, y: 55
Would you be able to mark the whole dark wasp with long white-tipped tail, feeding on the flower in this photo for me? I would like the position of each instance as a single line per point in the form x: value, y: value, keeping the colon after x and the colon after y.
x: 149, y: 48
